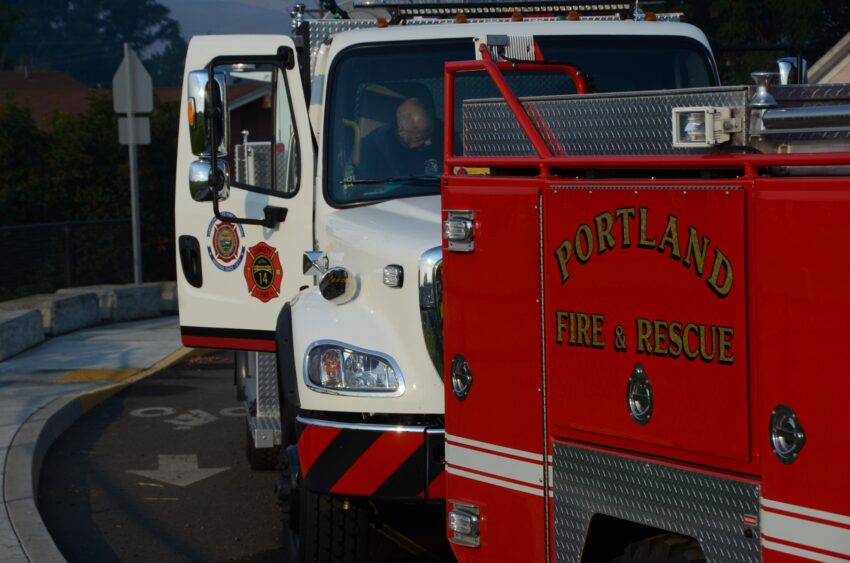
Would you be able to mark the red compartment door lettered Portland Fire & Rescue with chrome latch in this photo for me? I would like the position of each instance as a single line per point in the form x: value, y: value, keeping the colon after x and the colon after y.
x: 645, y: 291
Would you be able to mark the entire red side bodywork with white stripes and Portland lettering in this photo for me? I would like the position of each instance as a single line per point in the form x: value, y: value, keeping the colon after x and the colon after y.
x: 784, y: 313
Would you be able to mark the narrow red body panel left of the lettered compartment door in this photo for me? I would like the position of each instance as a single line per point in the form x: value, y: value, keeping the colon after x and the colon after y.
x: 493, y: 294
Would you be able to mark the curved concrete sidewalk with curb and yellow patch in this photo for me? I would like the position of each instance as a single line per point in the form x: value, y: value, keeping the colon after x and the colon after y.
x: 43, y: 391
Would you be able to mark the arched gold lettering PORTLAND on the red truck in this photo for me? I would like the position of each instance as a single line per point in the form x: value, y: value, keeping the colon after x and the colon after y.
x: 694, y: 251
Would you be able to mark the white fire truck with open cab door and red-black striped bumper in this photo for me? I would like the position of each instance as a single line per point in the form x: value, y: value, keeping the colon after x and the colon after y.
x: 326, y: 271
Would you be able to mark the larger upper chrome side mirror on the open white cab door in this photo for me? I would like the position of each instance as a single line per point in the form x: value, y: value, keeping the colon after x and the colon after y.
x: 207, y: 102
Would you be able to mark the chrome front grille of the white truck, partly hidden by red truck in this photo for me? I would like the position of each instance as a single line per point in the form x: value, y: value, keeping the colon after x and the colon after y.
x: 431, y: 304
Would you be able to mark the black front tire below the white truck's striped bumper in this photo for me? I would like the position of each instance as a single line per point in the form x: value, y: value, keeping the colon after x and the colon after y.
x: 332, y: 530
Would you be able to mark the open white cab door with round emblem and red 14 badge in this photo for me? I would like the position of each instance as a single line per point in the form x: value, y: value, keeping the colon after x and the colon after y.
x: 234, y: 273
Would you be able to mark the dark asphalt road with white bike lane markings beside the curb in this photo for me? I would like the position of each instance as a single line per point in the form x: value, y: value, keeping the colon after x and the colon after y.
x: 159, y: 473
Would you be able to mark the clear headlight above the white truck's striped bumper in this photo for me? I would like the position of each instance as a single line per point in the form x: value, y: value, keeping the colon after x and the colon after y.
x: 336, y: 368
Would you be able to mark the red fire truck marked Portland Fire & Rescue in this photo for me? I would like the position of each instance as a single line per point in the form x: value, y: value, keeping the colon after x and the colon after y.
x: 646, y: 306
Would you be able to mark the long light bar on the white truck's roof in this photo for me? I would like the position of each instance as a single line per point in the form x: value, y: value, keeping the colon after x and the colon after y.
x: 493, y: 7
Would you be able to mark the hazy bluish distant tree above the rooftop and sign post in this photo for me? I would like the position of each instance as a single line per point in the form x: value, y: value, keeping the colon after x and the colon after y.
x: 85, y: 37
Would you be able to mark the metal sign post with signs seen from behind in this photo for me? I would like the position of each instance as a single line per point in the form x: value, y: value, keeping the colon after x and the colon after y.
x: 132, y: 93
